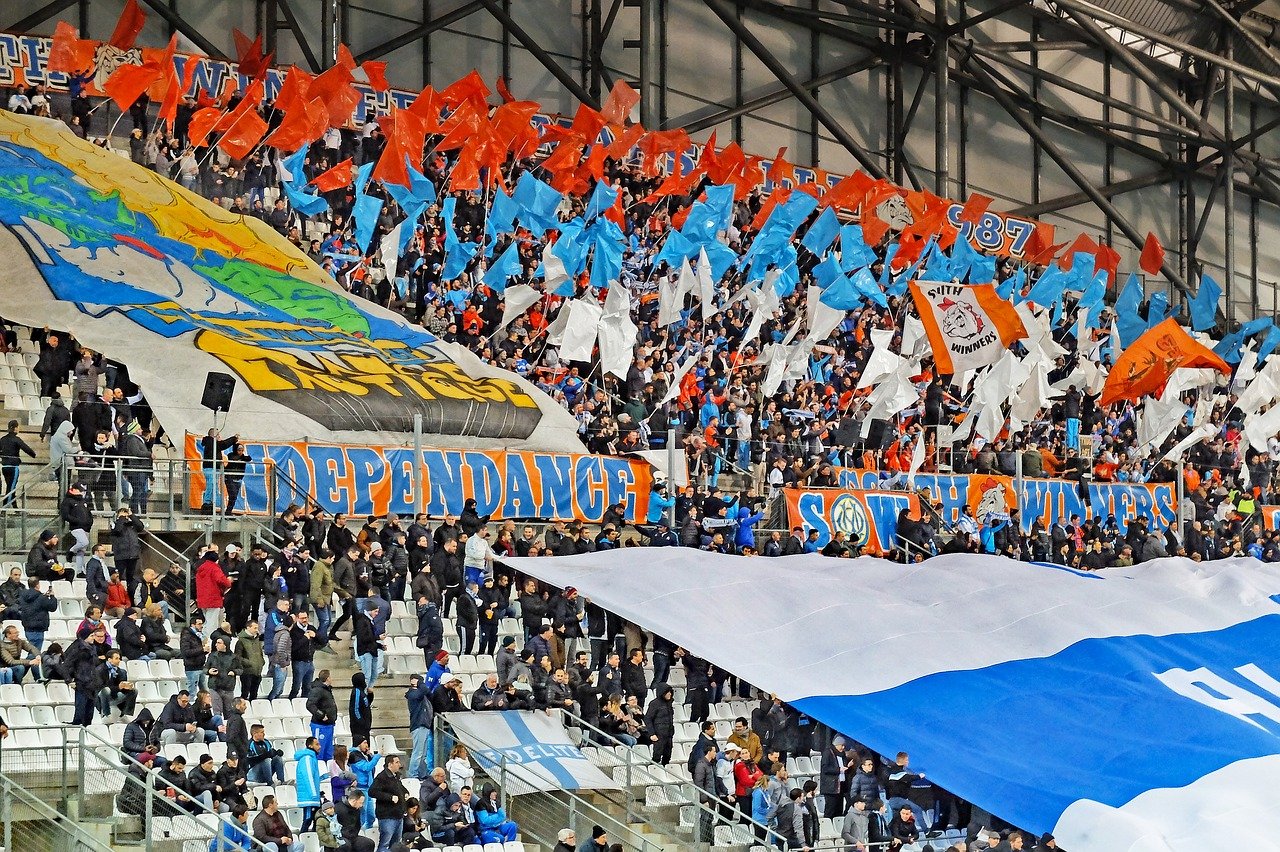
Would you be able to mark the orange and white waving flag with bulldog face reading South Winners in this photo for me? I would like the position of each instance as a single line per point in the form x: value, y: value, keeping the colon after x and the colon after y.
x: 968, y: 326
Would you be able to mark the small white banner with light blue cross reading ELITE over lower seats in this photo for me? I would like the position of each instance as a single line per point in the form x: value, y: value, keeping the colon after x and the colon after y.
x: 528, y: 752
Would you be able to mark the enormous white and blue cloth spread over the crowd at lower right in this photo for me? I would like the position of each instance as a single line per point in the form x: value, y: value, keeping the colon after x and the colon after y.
x: 1130, y: 709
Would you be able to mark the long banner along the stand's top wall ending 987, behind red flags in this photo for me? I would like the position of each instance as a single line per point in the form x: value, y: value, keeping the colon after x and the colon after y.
x: 24, y: 62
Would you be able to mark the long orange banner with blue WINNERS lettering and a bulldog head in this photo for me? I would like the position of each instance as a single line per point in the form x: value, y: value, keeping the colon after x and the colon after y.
x: 1045, y: 500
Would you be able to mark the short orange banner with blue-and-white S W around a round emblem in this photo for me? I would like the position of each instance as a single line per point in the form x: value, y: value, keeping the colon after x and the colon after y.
x: 868, y: 519
